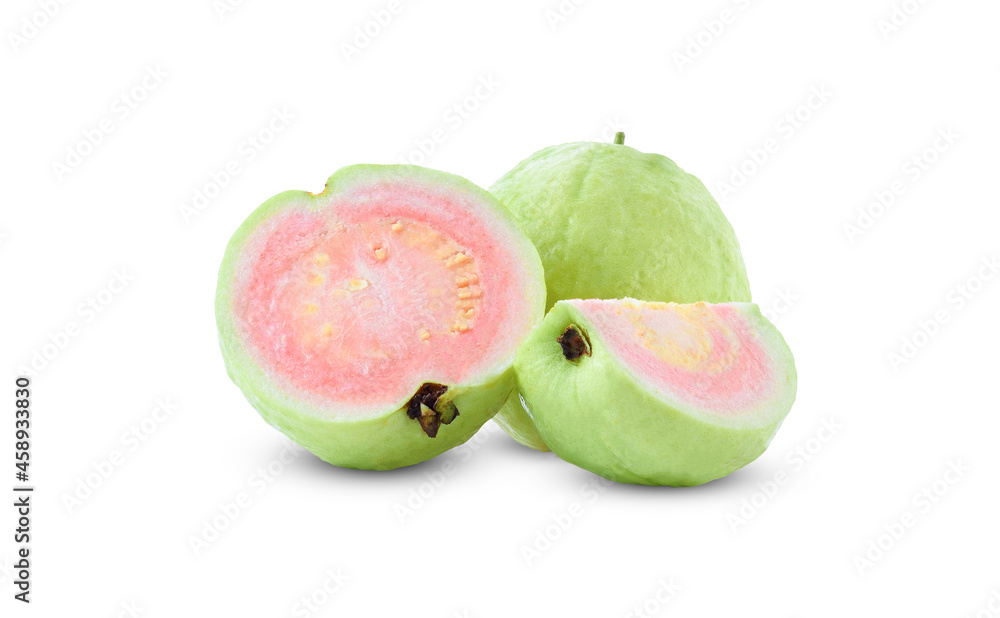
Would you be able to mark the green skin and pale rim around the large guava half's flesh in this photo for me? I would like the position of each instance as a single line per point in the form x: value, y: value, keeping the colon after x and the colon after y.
x: 388, y: 439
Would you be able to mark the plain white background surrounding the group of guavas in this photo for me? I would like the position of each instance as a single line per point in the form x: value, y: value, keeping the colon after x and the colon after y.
x: 744, y: 545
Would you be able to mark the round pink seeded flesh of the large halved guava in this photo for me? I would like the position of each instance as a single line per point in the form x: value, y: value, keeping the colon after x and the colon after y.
x: 362, y: 301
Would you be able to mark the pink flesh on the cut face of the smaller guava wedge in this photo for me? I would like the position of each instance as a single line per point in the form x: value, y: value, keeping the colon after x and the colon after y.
x: 707, y: 356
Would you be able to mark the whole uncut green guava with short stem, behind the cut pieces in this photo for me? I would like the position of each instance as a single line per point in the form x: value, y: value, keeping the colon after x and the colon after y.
x: 610, y: 221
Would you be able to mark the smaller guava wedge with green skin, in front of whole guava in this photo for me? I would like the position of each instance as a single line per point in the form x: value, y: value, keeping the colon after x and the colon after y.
x: 656, y: 393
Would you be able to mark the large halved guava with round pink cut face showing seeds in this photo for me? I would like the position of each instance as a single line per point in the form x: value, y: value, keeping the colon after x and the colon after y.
x: 375, y: 323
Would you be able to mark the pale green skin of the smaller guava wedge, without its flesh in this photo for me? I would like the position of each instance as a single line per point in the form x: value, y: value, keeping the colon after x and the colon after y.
x: 596, y: 415
